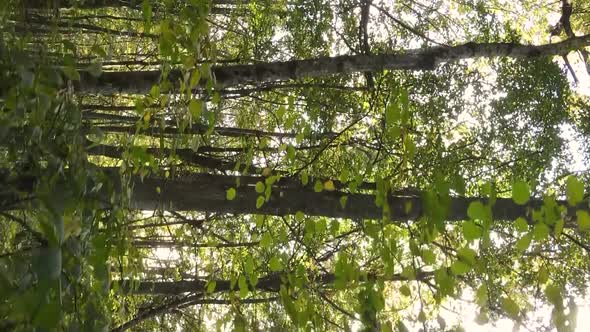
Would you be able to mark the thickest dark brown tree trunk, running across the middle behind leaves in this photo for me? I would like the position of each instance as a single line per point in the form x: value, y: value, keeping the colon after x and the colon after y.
x: 207, y: 193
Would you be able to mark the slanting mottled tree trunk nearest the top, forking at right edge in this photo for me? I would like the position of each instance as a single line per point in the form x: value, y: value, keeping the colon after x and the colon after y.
x: 420, y: 59
